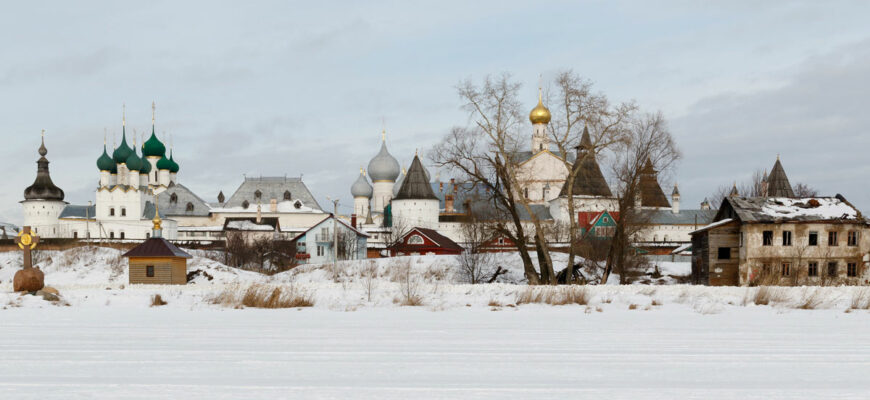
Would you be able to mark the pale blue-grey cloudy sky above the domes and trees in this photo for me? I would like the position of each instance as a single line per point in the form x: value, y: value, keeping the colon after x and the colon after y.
x: 302, y: 88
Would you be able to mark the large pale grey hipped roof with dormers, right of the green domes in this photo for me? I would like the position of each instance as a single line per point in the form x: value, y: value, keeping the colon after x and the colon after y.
x: 272, y: 188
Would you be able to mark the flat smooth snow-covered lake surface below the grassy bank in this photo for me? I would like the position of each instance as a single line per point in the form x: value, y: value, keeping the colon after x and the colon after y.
x: 399, y: 353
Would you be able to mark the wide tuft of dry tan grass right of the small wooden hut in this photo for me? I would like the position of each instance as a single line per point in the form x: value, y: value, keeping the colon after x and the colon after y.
x: 263, y: 296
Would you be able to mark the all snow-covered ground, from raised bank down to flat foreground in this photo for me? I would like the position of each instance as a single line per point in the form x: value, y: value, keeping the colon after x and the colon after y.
x: 104, y: 340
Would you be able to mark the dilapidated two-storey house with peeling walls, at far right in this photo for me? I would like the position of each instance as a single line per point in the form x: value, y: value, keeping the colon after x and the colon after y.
x: 782, y: 241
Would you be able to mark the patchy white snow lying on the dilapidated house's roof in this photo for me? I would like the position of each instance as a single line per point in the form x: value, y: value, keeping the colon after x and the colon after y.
x: 817, y: 208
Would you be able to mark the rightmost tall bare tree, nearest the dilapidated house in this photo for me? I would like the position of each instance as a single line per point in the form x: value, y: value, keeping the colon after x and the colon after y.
x: 648, y: 141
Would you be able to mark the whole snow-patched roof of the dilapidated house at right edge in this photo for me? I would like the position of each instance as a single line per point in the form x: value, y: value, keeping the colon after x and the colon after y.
x: 783, y: 209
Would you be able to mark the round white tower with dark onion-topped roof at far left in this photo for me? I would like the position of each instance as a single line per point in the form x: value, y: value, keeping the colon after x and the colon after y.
x: 43, y: 200
